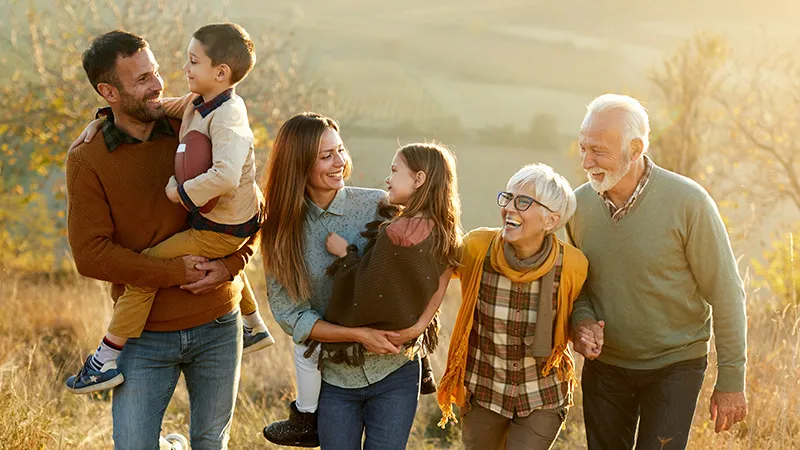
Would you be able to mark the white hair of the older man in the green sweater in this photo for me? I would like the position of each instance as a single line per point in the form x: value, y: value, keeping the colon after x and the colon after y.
x: 635, y: 120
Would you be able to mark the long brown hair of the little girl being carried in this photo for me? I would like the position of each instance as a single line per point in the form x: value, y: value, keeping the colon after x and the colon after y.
x: 437, y: 199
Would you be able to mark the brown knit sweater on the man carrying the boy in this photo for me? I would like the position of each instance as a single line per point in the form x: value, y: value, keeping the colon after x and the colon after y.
x: 117, y: 208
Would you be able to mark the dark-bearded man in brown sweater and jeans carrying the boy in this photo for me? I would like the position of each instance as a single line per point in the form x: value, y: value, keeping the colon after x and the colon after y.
x: 117, y: 208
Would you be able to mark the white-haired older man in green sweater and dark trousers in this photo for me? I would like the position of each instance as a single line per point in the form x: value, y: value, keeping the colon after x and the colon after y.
x: 660, y: 267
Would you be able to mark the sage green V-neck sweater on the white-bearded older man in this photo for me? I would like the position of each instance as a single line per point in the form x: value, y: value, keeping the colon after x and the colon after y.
x: 659, y: 275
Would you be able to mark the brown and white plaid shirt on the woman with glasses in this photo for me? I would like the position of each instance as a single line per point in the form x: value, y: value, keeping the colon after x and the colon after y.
x: 502, y: 374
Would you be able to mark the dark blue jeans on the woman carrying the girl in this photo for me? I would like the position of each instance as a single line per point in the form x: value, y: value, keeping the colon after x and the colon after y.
x: 385, y: 410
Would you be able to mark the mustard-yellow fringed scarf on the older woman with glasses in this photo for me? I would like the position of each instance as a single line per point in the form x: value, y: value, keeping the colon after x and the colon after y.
x: 476, y: 244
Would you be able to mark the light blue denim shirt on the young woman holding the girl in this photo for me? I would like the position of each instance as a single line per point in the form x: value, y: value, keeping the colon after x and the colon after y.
x: 351, y: 209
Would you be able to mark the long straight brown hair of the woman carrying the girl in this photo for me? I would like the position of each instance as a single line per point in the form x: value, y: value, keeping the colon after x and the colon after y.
x: 294, y: 153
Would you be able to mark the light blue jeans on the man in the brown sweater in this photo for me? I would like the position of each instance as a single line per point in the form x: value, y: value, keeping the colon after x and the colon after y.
x: 209, y: 357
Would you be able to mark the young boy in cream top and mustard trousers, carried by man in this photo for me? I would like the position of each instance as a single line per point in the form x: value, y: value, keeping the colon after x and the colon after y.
x: 219, y: 57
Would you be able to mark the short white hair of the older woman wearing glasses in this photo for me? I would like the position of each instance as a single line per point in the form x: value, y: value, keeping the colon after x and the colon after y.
x: 549, y: 188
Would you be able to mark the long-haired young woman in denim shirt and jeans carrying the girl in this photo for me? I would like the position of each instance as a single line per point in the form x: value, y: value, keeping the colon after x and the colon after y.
x: 306, y: 201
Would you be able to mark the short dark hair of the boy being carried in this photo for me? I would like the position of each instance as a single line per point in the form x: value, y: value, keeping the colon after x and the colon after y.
x: 228, y: 43
